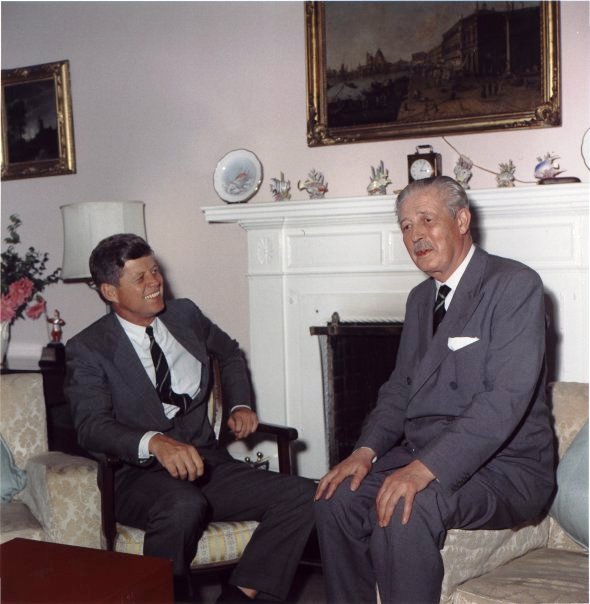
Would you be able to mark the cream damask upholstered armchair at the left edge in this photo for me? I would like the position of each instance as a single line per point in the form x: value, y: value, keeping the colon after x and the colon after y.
x: 60, y: 500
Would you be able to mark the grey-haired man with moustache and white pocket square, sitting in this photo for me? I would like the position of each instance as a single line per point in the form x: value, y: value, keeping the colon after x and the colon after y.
x: 460, y: 436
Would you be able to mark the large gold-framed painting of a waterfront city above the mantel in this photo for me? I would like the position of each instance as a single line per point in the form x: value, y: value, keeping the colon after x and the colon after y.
x: 389, y: 70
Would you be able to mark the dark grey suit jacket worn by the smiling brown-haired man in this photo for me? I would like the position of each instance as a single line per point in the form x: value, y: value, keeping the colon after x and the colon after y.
x: 113, y: 400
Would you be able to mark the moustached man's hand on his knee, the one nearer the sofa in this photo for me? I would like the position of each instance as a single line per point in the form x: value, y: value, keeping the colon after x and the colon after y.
x: 403, y: 483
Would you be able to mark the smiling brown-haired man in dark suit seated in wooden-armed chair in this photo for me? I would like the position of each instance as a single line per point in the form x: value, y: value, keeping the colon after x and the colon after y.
x: 151, y: 412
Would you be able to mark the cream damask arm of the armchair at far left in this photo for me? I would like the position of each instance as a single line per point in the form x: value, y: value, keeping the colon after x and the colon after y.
x: 62, y: 494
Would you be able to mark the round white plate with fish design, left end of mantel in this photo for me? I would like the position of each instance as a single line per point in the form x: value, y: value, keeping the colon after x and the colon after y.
x: 237, y: 176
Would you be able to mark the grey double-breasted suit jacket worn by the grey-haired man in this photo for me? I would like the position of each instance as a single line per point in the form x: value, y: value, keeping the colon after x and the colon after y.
x: 480, y: 409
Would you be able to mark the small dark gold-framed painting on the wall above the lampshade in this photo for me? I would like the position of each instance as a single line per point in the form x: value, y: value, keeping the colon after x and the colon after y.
x: 37, y: 124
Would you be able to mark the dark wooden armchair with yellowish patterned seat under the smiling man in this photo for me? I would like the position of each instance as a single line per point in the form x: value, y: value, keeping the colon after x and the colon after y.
x: 222, y: 543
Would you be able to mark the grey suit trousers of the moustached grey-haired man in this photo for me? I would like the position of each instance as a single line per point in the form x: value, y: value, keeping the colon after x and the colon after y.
x: 404, y: 561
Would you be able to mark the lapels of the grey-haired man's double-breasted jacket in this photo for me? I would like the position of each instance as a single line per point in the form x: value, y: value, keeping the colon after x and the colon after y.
x: 466, y: 299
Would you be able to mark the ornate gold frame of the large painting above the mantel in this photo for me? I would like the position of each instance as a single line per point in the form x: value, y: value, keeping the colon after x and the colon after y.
x: 319, y: 131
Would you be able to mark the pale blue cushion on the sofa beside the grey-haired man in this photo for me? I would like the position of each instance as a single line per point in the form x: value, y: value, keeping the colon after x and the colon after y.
x: 570, y: 508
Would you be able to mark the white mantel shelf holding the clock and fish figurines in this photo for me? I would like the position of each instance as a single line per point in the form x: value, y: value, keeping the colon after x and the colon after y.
x: 542, y: 199
